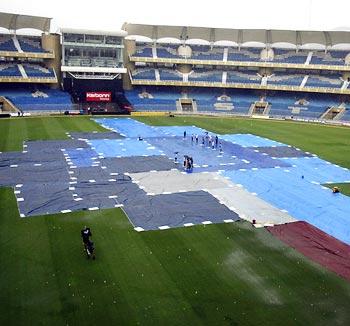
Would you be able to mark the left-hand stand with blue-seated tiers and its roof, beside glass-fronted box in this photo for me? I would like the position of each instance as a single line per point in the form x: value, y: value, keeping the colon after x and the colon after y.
x: 25, y: 72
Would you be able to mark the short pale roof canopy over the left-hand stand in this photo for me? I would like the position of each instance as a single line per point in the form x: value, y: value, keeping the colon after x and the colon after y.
x: 15, y: 22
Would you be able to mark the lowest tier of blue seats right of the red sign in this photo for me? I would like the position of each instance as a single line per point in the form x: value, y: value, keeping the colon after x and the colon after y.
x: 234, y: 101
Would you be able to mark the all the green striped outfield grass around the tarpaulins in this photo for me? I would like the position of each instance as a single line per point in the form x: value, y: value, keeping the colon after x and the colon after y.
x: 220, y: 274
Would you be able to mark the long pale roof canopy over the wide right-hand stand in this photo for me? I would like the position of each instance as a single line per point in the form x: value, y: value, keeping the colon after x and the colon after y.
x: 239, y: 36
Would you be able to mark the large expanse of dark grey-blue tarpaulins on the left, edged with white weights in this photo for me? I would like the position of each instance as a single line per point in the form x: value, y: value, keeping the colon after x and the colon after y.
x: 46, y: 181
